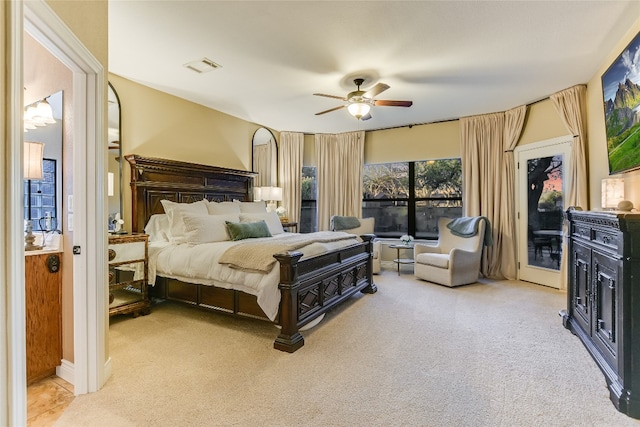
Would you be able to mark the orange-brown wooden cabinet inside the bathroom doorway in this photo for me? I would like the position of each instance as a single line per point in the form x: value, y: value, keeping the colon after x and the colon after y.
x: 43, y: 281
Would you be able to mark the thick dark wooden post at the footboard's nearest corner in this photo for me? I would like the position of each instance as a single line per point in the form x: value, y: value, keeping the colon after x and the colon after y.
x: 290, y: 338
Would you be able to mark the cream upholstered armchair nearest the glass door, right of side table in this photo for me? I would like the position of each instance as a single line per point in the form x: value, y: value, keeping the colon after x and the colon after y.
x: 454, y: 260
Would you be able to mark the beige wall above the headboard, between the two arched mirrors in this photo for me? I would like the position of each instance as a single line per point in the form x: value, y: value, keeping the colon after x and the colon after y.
x: 156, y: 124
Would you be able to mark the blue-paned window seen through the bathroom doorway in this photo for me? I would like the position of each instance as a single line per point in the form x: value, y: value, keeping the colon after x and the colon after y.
x: 43, y: 195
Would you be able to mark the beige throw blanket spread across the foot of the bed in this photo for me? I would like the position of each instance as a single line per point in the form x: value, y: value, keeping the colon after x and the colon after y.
x: 257, y: 256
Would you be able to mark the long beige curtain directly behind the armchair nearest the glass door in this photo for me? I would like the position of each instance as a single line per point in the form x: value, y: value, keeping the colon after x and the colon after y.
x: 482, y: 162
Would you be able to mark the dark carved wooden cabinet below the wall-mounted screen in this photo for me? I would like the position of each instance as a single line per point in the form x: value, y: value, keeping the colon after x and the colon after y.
x: 603, y: 299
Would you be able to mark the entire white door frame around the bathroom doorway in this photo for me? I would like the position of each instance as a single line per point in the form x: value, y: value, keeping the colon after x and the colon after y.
x: 90, y: 368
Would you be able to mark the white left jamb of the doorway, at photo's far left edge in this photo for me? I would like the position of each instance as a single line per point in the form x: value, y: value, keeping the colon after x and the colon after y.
x: 13, y: 390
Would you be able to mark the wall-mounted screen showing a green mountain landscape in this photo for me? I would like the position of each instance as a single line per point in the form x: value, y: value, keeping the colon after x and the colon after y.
x: 621, y: 89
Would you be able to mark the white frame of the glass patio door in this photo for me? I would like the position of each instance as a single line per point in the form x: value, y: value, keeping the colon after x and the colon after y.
x: 545, y: 277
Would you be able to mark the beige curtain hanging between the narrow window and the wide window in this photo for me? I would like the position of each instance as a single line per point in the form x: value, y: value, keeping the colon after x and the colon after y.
x: 339, y: 175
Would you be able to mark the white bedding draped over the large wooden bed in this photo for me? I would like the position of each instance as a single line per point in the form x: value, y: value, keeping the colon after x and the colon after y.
x: 197, y: 263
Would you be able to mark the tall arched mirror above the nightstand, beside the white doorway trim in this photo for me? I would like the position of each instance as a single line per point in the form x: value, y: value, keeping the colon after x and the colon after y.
x: 114, y: 190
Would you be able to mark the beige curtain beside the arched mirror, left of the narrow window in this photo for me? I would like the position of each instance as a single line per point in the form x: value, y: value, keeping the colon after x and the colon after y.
x: 290, y: 157
